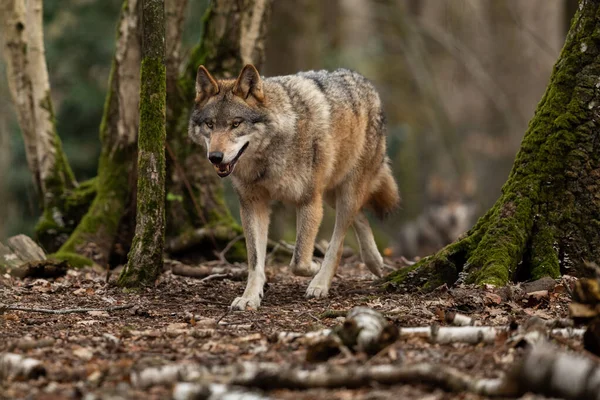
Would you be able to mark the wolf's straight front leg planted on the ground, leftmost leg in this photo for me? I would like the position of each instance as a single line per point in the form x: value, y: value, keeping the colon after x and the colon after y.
x: 255, y: 221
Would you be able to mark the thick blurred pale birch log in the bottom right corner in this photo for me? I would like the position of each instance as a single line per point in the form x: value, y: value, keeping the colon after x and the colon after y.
x: 552, y: 372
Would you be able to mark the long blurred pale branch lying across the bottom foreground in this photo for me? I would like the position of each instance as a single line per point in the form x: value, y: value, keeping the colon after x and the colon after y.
x: 269, y: 376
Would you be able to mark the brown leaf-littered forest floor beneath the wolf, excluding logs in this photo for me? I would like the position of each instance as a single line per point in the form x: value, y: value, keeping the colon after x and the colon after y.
x: 92, y: 355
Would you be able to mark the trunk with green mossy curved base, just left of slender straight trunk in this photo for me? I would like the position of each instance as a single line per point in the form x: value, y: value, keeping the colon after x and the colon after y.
x: 94, y: 237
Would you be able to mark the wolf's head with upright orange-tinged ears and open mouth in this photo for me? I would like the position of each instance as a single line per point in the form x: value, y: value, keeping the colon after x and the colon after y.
x: 227, y: 116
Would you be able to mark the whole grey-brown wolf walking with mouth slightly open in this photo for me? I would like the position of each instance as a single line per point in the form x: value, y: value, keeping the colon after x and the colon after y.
x: 302, y: 139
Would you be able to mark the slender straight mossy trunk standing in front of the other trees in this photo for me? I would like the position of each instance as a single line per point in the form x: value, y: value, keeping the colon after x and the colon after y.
x: 145, y: 259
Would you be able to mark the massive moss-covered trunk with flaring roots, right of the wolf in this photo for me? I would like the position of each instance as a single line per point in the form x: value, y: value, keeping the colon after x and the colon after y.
x: 547, y: 220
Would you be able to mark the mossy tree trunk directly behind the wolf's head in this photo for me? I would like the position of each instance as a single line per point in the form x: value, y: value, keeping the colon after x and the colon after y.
x: 197, y: 218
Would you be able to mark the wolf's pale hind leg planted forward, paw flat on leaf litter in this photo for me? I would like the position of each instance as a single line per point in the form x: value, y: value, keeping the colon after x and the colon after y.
x: 346, y: 206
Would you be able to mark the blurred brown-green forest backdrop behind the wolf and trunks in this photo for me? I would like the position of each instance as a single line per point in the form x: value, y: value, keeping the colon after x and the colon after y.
x: 460, y: 80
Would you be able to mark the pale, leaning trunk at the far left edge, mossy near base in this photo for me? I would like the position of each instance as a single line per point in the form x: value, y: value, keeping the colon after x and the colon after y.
x: 29, y: 86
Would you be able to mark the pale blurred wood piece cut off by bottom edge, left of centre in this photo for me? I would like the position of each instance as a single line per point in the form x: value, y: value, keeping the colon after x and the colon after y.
x: 193, y: 391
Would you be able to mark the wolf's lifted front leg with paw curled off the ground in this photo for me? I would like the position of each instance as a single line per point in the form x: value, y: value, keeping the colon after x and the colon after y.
x: 308, y: 220
